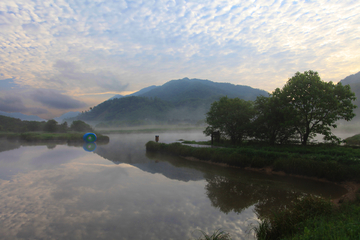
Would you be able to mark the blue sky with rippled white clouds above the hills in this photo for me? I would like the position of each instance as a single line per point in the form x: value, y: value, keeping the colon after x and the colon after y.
x: 68, y: 55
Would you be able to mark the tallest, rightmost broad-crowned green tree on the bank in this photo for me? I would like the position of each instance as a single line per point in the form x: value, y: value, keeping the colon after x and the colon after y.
x: 315, y: 105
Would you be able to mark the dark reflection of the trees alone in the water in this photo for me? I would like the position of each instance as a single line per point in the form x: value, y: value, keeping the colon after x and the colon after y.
x: 236, y: 194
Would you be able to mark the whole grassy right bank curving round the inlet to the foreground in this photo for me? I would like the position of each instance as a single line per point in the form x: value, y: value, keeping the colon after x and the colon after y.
x: 308, y: 218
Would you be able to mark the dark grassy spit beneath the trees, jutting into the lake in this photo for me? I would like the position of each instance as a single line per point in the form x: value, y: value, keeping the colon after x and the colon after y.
x: 333, y: 163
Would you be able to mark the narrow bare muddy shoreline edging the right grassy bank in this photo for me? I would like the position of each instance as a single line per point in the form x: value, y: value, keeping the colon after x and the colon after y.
x: 352, y: 187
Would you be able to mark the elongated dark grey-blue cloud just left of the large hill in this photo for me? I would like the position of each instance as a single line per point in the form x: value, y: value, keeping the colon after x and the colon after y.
x: 54, y: 99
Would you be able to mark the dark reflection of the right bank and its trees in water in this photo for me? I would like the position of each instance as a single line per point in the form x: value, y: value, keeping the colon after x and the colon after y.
x: 234, y: 190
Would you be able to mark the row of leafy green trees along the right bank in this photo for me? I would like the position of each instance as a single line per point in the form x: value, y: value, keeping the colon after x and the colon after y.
x: 304, y: 107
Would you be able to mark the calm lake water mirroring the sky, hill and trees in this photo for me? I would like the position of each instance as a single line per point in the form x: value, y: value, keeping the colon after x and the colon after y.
x: 121, y: 192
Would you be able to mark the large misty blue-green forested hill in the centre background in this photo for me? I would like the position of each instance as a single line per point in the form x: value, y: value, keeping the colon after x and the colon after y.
x: 177, y: 101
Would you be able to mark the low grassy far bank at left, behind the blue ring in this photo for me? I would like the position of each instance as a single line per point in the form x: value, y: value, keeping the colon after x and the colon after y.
x: 45, y: 136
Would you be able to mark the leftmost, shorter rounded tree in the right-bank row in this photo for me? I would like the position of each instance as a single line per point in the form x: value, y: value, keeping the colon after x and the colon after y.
x: 231, y: 117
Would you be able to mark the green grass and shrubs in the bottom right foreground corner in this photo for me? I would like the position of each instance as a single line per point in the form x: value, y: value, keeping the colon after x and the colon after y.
x: 312, y: 218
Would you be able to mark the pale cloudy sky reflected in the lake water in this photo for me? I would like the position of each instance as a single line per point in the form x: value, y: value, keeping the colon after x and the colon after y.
x: 80, y: 199
